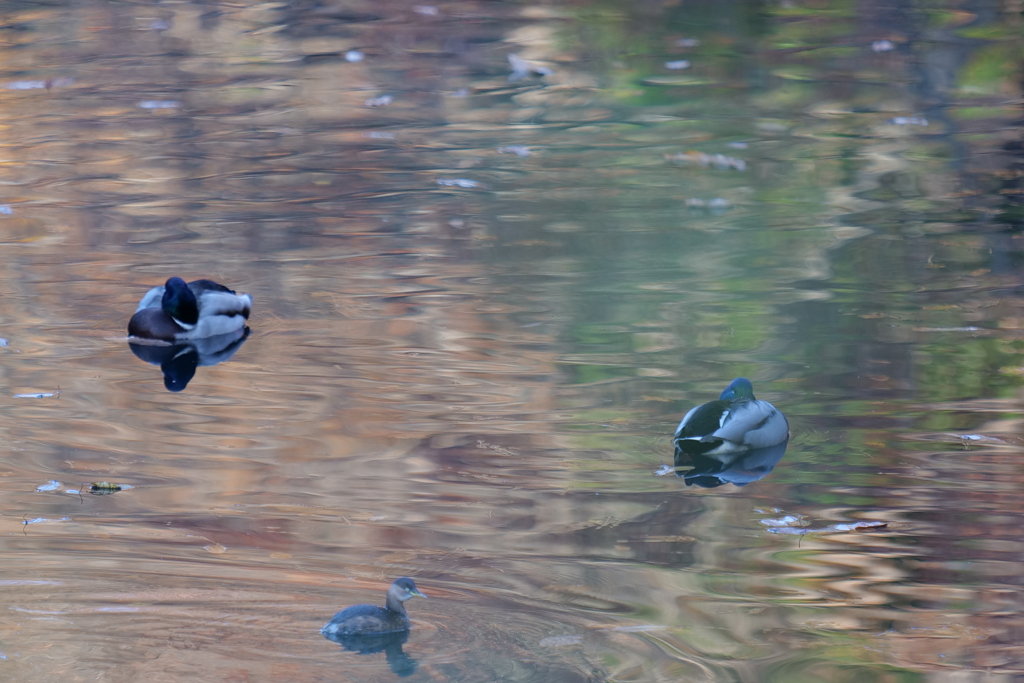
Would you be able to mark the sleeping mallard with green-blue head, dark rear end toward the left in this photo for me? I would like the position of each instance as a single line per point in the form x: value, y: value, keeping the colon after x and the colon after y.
x: 736, y: 423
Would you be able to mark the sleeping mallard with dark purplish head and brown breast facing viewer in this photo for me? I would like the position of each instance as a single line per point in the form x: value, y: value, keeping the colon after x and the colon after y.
x: 180, y: 312
